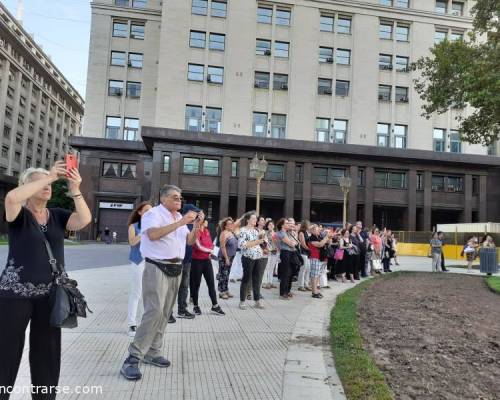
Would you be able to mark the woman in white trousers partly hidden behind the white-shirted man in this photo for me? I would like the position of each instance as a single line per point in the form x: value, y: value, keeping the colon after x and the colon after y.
x: 136, y: 264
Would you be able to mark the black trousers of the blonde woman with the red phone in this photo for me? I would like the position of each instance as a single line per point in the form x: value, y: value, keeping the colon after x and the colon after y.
x: 44, y: 344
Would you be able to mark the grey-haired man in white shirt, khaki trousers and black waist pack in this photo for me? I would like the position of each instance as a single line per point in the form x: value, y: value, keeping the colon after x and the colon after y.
x: 163, y: 243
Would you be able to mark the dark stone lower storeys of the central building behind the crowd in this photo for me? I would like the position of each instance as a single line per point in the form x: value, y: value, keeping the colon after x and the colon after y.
x: 401, y: 189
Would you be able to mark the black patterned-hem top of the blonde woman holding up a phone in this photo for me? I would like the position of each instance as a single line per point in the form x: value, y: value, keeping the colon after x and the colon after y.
x: 28, y: 273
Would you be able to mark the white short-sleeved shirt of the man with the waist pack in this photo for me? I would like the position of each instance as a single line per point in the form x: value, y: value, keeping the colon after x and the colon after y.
x: 169, y: 246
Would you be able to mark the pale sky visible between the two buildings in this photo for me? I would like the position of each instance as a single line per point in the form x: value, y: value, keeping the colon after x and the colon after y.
x: 62, y: 28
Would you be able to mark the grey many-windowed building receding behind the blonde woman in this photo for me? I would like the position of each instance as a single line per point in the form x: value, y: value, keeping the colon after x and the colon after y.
x: 39, y: 109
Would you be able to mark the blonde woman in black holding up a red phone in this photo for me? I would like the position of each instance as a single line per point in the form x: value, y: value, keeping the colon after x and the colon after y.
x: 26, y: 281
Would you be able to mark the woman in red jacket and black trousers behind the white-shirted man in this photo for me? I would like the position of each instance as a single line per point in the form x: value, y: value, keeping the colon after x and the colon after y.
x: 201, y: 265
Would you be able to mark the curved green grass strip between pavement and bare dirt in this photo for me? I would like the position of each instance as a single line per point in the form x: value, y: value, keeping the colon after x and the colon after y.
x: 360, y: 377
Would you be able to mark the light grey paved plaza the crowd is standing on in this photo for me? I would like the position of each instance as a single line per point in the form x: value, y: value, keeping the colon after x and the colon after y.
x: 281, y: 352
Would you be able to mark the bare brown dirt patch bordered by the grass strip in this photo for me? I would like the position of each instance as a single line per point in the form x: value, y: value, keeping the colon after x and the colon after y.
x: 434, y: 336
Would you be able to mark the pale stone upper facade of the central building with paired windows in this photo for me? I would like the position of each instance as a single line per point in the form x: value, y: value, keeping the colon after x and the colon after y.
x: 330, y: 71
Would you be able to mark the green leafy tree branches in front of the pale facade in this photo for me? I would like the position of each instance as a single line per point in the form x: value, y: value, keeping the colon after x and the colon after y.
x: 467, y: 73
